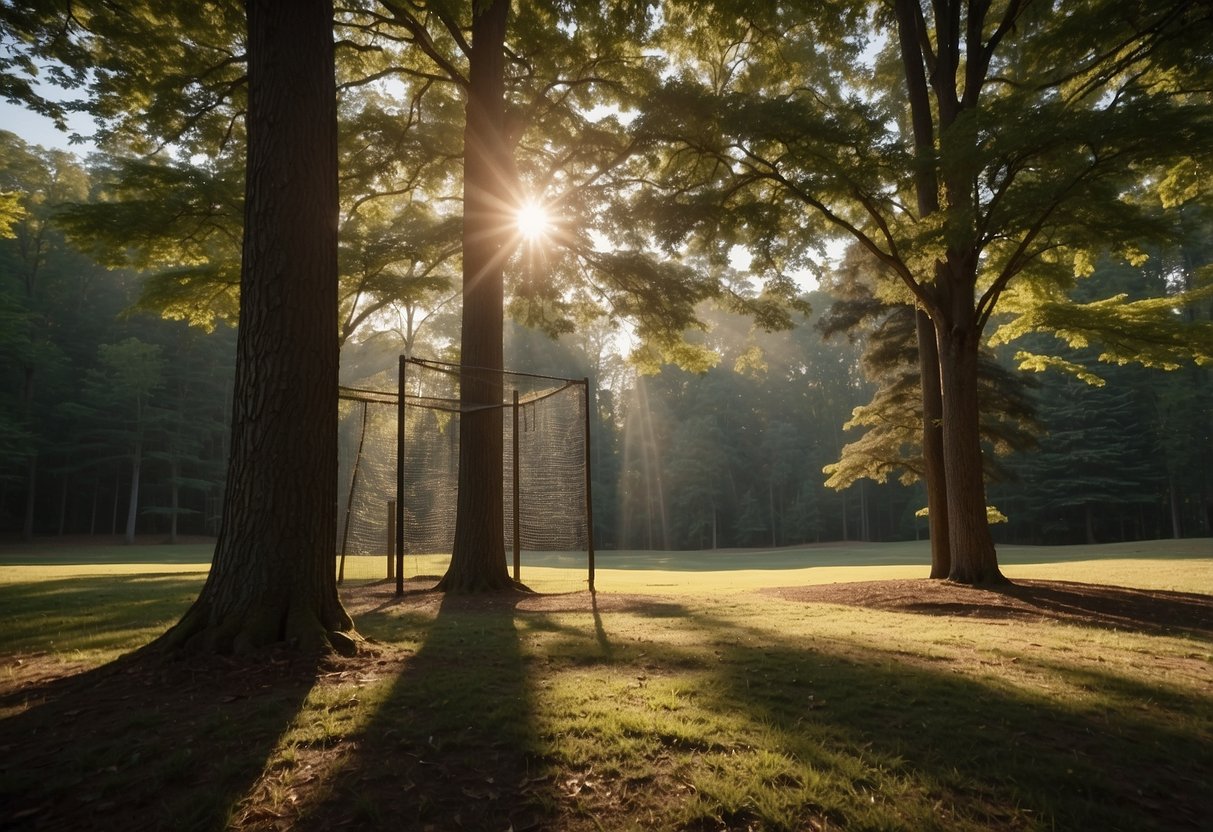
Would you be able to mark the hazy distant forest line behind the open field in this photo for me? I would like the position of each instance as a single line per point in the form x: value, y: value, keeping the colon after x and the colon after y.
x: 129, y: 420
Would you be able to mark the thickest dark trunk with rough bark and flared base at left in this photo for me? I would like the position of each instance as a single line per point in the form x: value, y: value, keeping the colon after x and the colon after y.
x: 272, y: 580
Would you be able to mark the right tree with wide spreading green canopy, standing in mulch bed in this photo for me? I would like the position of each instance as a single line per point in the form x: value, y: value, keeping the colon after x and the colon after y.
x: 989, y: 147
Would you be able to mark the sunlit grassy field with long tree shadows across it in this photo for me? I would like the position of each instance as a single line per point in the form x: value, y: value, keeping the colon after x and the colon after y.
x: 823, y: 688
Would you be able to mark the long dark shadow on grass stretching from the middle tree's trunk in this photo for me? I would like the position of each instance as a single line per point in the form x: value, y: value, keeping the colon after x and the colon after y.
x: 454, y: 745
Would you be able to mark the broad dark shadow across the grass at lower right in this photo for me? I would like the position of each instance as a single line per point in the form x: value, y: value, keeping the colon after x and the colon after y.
x: 1127, y: 767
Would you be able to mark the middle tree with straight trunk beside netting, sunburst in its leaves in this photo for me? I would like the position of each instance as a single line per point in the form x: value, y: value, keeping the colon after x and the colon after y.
x: 529, y: 77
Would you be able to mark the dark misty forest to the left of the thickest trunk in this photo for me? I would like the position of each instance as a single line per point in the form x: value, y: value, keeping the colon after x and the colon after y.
x: 72, y: 401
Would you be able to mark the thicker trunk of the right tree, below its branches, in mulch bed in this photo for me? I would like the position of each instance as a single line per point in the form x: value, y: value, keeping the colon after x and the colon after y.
x: 973, y: 559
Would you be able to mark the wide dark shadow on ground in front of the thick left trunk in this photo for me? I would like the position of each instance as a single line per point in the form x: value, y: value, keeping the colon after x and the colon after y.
x: 145, y: 743
